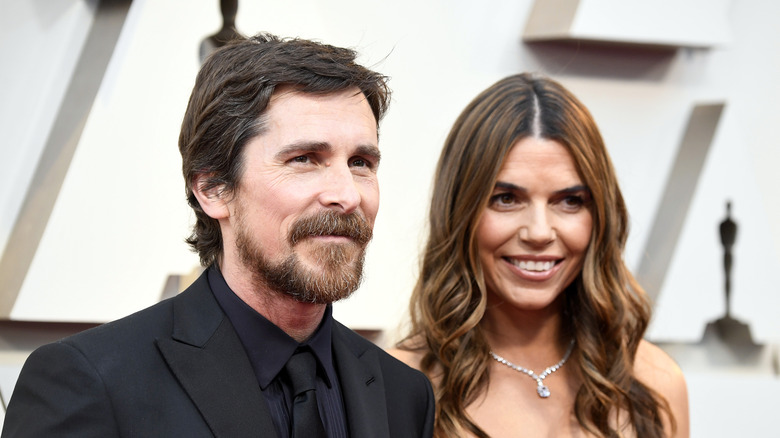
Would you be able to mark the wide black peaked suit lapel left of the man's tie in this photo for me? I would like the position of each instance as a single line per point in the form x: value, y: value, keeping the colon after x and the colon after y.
x: 209, y: 361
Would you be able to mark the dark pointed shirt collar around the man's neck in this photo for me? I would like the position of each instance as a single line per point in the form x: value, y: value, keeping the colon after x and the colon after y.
x: 268, y: 346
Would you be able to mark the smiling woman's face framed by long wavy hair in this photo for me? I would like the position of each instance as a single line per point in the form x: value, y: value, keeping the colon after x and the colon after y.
x: 534, y: 233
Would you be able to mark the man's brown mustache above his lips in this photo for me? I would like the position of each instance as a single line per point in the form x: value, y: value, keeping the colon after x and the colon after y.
x: 330, y: 223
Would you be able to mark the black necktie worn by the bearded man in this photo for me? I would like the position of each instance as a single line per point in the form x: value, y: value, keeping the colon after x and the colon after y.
x: 302, y: 370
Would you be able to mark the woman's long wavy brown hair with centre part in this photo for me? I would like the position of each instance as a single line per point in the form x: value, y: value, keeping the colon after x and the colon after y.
x: 449, y: 300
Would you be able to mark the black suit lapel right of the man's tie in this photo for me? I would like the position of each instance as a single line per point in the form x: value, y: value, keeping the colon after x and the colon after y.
x: 362, y: 385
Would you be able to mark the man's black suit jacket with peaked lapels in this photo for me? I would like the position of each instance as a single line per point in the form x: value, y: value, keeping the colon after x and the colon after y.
x: 178, y: 369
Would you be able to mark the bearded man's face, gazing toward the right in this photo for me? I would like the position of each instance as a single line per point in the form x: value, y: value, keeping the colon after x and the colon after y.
x: 308, y: 195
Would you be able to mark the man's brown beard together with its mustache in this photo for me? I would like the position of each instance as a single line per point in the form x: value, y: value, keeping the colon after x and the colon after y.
x: 340, y: 264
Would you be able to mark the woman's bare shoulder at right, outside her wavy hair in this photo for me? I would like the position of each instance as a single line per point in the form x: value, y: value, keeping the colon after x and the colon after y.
x: 656, y: 369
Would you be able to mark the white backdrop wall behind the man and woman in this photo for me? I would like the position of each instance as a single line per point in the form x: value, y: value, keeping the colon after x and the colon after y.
x: 116, y: 232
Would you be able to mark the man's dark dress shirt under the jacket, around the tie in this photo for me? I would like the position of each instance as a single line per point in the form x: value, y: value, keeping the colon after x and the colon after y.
x: 269, y: 348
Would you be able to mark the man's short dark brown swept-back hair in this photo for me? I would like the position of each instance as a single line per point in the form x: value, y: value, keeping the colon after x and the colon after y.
x: 228, y: 107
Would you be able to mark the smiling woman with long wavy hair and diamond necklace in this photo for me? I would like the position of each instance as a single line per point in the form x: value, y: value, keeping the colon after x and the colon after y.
x: 523, y: 271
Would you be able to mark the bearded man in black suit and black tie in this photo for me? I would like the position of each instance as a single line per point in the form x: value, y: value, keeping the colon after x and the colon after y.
x: 279, y: 149
